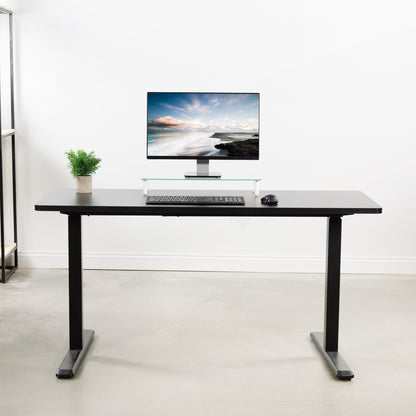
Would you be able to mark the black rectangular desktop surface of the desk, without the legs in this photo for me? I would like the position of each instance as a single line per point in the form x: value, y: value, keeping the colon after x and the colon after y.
x: 133, y: 202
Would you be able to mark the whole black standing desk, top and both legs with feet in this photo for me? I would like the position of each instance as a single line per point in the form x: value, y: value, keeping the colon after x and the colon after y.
x: 330, y: 204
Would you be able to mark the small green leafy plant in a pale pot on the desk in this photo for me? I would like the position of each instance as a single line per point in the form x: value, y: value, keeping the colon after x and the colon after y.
x: 83, y: 165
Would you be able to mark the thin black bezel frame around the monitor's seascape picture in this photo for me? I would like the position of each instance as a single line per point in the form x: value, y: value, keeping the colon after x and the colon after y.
x: 199, y: 157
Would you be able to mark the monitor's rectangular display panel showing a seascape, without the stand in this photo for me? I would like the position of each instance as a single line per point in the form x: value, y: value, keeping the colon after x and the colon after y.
x: 203, y: 125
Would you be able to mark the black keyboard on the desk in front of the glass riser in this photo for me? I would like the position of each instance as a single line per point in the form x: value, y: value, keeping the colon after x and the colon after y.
x: 194, y: 200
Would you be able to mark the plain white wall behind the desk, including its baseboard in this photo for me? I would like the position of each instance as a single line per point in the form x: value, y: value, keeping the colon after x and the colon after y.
x: 338, y: 87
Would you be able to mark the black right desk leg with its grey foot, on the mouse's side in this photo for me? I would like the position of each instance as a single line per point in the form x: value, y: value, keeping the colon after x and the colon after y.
x: 327, y: 342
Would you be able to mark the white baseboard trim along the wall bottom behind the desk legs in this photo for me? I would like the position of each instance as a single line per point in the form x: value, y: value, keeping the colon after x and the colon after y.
x: 130, y: 261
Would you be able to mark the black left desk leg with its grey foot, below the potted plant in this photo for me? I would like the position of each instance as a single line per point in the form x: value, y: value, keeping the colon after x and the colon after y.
x: 79, y: 339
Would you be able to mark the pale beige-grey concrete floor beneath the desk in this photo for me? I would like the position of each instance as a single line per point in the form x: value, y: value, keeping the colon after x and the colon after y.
x: 181, y: 343
